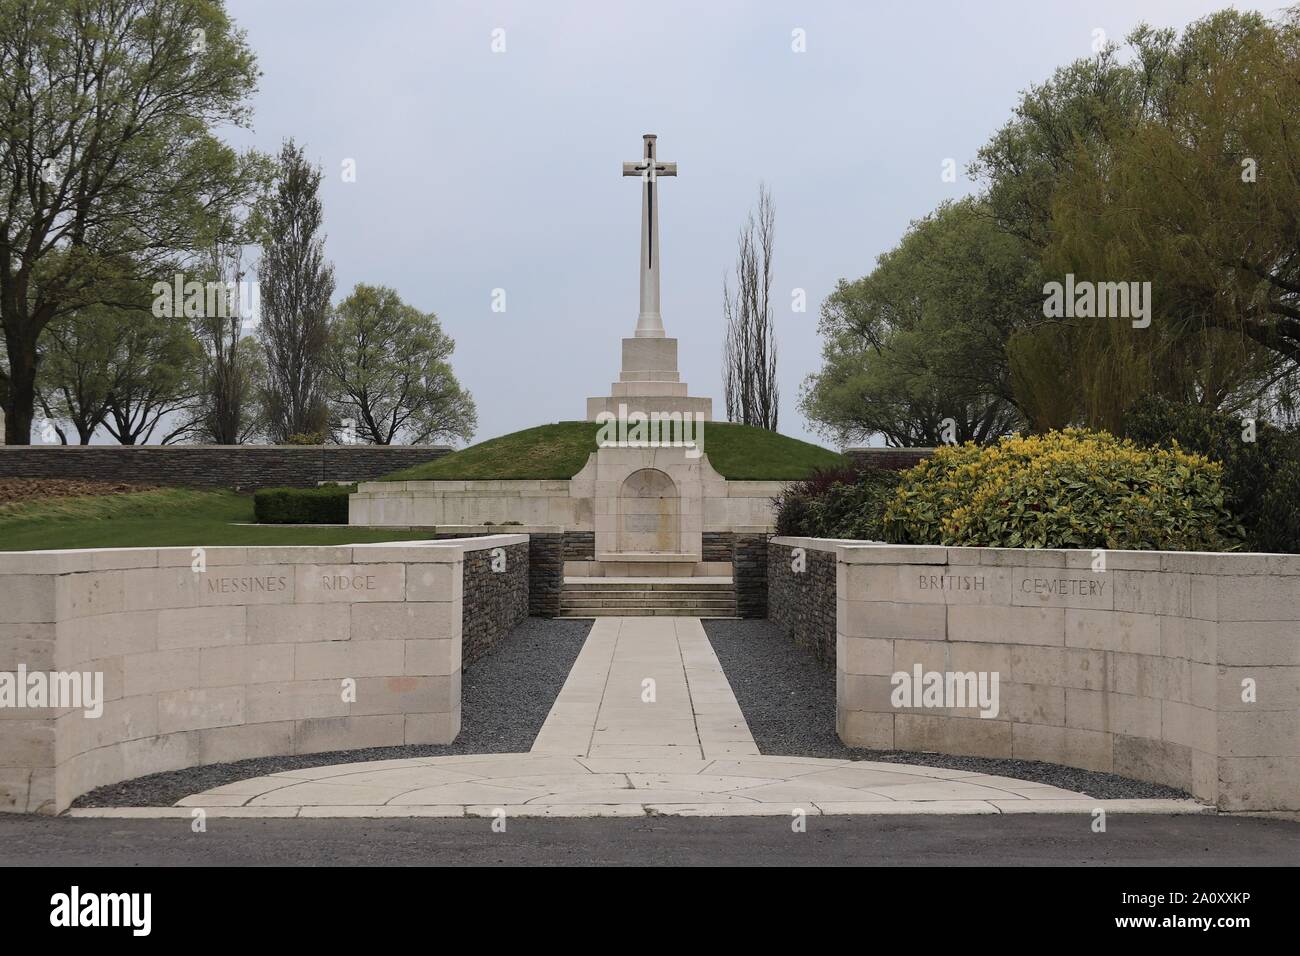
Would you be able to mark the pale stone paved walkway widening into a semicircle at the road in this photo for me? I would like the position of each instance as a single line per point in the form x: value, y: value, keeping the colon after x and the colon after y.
x: 645, y: 724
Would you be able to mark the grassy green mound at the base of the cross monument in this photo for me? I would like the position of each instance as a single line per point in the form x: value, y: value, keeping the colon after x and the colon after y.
x: 560, y: 451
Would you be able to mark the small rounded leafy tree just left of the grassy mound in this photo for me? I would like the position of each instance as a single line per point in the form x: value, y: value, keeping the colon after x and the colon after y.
x: 389, y: 373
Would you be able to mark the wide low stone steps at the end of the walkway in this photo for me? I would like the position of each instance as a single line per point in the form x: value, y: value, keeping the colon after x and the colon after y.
x: 627, y: 598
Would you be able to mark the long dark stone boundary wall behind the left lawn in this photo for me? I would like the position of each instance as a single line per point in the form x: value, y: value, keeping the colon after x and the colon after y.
x: 246, y: 468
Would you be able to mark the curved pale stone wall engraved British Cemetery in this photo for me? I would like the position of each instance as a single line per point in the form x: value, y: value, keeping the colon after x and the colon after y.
x: 1178, y: 669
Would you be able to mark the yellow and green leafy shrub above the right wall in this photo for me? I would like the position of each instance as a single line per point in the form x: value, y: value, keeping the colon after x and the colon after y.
x: 1064, y: 490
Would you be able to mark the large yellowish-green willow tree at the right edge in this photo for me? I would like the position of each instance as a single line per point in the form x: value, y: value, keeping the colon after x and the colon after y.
x: 1180, y: 167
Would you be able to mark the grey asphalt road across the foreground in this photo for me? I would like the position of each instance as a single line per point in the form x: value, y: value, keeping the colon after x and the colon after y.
x: 964, y: 841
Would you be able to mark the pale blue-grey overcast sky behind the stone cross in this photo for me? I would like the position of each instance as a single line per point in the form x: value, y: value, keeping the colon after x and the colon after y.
x: 480, y: 171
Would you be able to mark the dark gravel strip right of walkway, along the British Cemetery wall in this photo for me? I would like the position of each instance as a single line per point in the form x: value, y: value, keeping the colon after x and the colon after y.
x: 788, y: 700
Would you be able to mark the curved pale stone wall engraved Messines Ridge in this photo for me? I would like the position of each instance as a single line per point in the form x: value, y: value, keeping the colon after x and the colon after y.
x: 248, y: 656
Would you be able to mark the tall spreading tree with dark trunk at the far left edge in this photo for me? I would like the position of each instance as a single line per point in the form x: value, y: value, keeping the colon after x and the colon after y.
x: 109, y: 166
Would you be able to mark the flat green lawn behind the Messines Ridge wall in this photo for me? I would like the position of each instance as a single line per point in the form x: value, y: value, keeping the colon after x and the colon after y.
x: 164, y: 518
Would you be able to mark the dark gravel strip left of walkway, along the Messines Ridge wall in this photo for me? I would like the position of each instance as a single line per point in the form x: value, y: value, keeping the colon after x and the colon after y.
x: 505, y: 699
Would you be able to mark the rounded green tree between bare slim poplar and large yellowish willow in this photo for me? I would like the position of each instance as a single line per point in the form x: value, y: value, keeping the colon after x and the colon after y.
x: 917, y: 351
